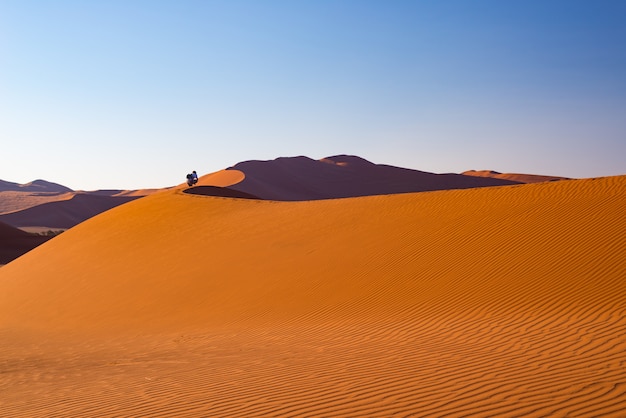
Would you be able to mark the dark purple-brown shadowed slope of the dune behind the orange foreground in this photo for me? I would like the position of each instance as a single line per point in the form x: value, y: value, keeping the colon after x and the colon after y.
x: 302, y: 178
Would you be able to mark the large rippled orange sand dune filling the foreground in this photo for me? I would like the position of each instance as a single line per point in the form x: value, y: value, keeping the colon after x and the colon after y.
x: 504, y: 301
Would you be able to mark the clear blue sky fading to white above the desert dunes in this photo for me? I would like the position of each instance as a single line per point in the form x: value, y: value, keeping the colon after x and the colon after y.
x: 132, y: 94
